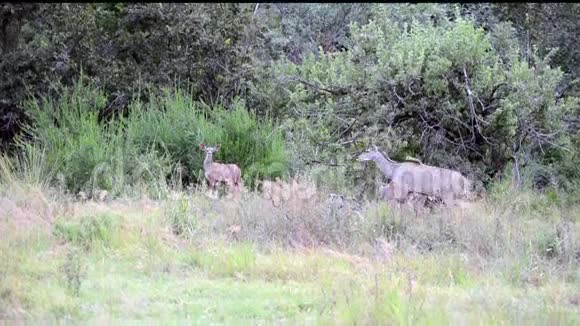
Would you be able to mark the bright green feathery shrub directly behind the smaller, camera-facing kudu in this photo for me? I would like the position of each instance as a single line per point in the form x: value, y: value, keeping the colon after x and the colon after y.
x: 175, y: 124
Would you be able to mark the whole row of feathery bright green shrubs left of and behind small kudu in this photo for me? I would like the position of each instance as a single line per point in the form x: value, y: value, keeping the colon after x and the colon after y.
x: 157, y: 143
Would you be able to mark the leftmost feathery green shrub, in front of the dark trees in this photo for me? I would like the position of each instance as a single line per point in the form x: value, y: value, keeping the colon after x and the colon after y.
x: 69, y: 130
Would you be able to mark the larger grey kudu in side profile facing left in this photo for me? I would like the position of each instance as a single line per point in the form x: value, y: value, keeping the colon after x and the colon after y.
x: 413, y: 177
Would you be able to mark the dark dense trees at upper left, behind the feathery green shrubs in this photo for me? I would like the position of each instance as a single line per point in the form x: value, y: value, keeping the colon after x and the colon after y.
x: 123, y: 48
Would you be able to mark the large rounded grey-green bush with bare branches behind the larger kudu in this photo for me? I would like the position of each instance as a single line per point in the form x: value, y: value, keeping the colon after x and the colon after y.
x: 449, y: 93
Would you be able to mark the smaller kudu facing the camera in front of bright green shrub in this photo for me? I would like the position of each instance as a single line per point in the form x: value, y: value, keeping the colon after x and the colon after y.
x: 216, y: 173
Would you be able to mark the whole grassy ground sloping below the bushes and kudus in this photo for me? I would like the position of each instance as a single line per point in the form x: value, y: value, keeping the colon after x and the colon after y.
x: 183, y: 260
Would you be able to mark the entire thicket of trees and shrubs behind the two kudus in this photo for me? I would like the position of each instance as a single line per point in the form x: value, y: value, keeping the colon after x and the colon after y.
x: 119, y: 95
